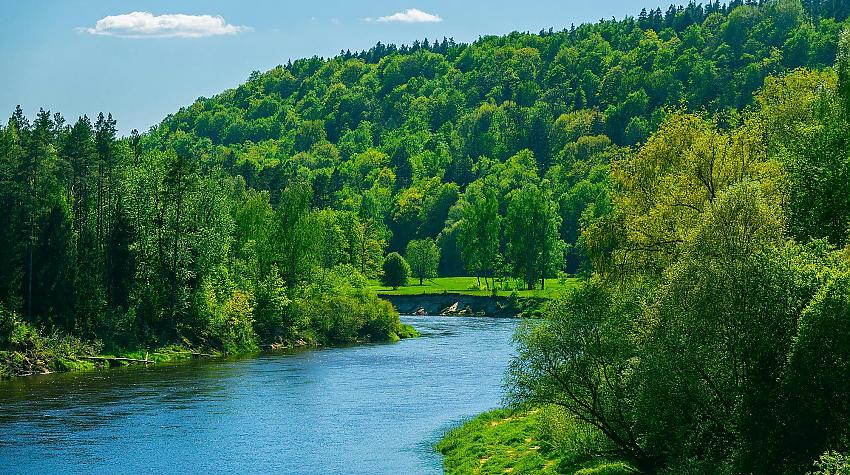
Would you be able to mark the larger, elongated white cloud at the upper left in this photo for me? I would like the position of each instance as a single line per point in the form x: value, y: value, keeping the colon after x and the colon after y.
x: 148, y: 25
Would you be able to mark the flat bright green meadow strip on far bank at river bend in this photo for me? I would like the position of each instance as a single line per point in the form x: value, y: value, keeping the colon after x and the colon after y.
x: 469, y: 286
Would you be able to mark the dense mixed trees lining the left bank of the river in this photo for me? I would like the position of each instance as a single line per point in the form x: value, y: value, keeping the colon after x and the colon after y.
x: 106, y: 241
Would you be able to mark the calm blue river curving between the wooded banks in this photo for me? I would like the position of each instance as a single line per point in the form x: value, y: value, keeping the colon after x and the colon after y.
x: 364, y: 409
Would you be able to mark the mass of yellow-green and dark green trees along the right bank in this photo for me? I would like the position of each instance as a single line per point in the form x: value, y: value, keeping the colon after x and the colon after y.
x: 714, y: 335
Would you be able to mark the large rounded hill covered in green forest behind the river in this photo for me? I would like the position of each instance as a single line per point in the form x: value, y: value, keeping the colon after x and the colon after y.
x: 397, y: 134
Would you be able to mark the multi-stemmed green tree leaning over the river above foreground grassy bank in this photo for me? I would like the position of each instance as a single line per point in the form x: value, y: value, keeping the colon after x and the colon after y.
x: 580, y: 358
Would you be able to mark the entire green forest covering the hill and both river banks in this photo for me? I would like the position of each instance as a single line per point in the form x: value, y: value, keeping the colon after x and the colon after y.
x: 691, y: 163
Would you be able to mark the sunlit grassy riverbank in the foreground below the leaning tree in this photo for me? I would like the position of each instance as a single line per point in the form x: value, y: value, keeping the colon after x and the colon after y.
x: 539, y: 440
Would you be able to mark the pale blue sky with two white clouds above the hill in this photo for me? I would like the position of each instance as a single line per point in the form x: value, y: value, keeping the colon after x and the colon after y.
x: 69, y: 56
